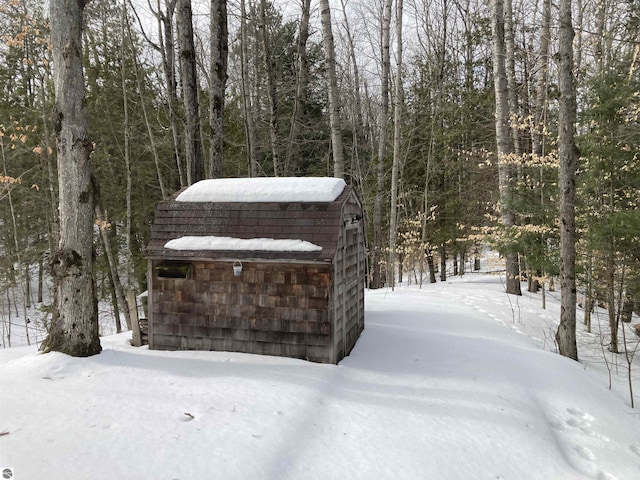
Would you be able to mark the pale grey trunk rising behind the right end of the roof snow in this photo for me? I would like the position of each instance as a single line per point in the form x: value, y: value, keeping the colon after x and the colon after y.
x: 332, y: 90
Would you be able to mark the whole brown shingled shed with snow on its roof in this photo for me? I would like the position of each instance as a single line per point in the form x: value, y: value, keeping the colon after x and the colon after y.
x: 269, y: 266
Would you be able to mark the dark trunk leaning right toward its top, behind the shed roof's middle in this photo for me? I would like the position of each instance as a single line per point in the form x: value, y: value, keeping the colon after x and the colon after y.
x: 291, y: 161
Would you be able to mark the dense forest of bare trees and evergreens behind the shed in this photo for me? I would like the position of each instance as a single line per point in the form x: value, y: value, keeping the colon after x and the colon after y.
x: 462, y: 124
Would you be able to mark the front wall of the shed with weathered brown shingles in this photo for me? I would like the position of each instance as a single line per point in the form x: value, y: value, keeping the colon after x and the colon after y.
x: 272, y: 308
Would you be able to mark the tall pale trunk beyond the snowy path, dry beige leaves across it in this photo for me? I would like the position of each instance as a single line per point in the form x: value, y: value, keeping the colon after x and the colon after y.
x: 504, y: 144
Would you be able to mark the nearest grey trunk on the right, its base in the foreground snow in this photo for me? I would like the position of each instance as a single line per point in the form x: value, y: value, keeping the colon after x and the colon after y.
x: 567, y: 155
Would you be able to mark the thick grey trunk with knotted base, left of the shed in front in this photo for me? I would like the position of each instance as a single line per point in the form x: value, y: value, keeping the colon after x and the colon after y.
x: 74, y: 326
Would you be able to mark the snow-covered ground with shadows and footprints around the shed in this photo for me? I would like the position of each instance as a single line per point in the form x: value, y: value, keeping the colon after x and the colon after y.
x: 452, y: 381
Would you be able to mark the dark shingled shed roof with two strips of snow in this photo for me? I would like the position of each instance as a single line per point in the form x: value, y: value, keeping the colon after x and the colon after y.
x: 260, y: 218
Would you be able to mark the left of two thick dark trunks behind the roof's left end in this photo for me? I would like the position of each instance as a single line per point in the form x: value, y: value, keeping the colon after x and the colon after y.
x: 188, y: 75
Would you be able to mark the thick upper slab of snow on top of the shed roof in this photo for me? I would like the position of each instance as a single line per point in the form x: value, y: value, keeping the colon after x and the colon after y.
x: 264, y: 189
